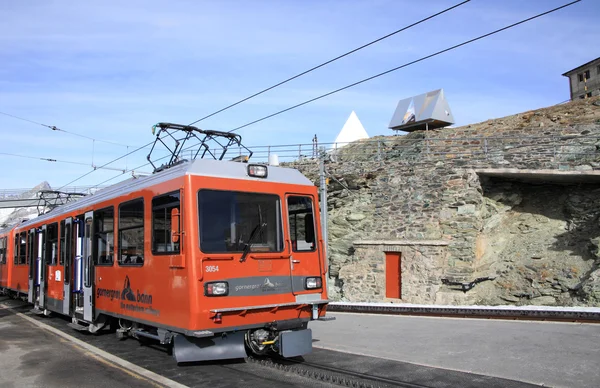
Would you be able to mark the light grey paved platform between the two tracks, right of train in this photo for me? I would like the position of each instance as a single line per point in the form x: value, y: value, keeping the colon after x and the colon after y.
x: 542, y: 353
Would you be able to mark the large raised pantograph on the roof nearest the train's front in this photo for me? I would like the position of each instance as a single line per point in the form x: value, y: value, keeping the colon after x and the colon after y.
x: 210, y: 144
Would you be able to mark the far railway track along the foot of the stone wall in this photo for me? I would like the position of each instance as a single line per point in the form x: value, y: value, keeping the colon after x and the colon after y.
x: 534, y: 313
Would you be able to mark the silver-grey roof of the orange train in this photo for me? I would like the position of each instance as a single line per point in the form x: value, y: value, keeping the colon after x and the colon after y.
x: 200, y: 167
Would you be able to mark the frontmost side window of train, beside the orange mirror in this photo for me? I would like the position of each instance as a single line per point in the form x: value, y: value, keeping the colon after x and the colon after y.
x: 162, y: 207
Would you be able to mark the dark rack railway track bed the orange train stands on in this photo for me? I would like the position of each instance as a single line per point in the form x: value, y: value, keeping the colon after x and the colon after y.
x: 321, y: 368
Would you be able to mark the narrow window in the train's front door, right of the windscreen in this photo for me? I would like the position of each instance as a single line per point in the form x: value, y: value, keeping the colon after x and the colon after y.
x: 302, y: 224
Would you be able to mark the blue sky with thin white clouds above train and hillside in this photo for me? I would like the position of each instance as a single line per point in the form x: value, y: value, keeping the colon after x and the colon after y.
x: 111, y: 69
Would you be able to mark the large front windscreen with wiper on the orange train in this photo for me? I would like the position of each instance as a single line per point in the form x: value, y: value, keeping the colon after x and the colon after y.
x: 229, y: 221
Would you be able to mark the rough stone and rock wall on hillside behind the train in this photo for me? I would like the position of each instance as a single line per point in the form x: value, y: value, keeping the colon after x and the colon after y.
x: 426, y: 186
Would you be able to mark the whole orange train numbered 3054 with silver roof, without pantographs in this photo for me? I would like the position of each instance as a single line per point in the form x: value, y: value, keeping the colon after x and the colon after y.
x: 216, y: 258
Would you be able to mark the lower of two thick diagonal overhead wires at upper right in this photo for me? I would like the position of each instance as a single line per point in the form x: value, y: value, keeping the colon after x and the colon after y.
x: 405, y: 65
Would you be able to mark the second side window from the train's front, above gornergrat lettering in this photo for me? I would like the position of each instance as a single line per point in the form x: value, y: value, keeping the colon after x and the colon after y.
x: 131, y: 233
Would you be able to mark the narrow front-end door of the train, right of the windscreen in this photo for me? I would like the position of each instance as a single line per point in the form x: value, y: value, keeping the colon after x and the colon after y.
x: 303, y: 244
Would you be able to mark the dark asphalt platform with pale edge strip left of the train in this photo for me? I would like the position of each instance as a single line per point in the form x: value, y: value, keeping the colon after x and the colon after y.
x: 31, y: 356
